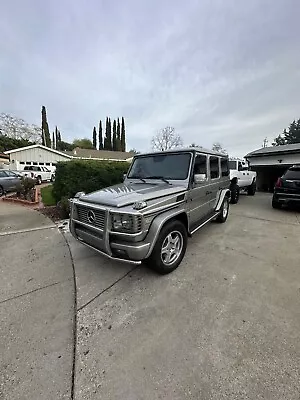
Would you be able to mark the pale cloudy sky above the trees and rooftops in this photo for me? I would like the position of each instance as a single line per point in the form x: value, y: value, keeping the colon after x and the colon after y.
x: 216, y: 70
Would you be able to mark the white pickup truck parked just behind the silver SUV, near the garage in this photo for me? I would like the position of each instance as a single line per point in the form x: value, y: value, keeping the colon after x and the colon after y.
x: 241, y: 179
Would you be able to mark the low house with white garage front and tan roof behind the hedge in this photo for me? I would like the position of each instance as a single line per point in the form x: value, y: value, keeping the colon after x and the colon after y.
x: 38, y: 154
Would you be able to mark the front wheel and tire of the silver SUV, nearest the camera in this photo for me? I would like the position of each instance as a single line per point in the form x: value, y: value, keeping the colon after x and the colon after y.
x: 158, y: 259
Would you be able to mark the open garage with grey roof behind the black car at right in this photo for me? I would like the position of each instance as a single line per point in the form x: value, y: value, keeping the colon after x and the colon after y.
x: 271, y: 162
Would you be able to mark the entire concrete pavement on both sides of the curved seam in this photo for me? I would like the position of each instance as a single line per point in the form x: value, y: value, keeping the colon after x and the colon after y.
x: 224, y: 325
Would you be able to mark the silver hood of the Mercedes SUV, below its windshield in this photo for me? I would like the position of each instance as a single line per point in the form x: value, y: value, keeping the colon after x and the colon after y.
x: 128, y: 193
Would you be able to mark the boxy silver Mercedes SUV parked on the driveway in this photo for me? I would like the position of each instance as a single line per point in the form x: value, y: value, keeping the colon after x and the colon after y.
x: 165, y: 197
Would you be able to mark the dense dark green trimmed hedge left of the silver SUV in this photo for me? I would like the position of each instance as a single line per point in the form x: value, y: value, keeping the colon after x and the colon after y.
x: 86, y: 176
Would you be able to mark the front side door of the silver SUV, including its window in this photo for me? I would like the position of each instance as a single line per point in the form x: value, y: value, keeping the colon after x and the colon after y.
x: 199, y: 200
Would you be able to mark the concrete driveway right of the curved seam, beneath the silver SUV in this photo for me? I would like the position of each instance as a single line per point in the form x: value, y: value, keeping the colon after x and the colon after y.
x: 224, y: 325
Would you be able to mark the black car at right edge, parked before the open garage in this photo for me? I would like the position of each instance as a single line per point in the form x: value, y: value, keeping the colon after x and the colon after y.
x: 287, y: 188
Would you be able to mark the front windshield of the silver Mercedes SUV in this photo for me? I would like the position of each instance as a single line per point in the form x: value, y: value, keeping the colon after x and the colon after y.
x: 167, y: 166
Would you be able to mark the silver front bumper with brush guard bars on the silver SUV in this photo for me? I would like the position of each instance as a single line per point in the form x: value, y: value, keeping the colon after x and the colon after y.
x: 107, y: 243
